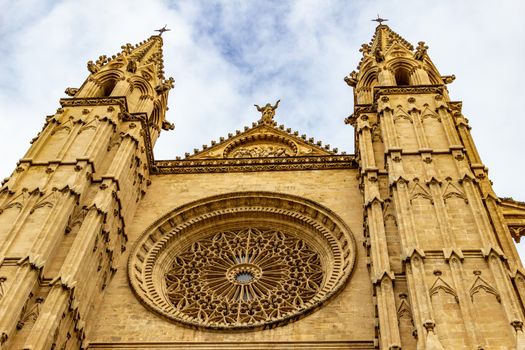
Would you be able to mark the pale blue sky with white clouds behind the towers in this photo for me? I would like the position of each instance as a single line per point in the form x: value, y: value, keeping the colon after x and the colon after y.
x: 227, y: 55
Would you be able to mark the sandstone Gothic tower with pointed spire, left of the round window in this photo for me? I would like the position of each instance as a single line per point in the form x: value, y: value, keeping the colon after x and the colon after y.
x: 64, y: 210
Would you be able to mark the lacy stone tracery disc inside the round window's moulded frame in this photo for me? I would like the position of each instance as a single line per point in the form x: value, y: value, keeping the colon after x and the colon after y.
x: 243, y: 276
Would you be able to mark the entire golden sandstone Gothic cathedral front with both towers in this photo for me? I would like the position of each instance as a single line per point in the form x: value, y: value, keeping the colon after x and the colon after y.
x: 264, y: 239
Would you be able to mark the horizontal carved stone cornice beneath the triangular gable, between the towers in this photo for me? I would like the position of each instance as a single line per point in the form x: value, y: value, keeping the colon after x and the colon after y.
x: 254, y: 164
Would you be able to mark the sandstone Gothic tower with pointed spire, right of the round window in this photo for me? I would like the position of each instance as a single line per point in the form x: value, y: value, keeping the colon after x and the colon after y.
x: 445, y: 271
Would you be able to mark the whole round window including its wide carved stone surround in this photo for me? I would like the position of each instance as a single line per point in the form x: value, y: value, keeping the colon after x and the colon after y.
x: 244, y: 260
